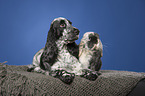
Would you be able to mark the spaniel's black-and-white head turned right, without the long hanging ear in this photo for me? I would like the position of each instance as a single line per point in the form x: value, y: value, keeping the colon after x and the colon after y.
x: 63, y: 30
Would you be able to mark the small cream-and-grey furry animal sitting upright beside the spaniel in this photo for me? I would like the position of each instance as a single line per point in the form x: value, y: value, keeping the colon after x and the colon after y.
x: 91, y: 51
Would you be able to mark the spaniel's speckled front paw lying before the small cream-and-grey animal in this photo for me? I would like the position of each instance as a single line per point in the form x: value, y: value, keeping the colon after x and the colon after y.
x: 90, y: 75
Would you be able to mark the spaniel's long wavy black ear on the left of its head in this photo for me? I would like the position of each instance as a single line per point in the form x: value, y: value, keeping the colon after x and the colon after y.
x: 48, y: 58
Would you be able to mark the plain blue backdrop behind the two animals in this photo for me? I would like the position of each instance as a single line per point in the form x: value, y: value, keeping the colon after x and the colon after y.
x: 120, y: 23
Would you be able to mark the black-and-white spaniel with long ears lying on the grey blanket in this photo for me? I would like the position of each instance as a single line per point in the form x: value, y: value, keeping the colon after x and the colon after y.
x: 60, y: 56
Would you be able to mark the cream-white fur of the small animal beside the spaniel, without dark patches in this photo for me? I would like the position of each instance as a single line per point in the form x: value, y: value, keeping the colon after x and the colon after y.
x: 85, y: 53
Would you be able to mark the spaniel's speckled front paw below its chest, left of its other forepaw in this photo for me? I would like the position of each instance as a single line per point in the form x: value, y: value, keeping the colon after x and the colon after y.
x: 64, y: 76
